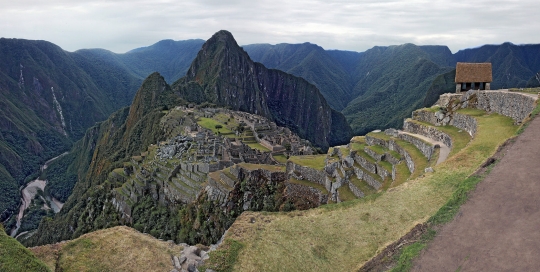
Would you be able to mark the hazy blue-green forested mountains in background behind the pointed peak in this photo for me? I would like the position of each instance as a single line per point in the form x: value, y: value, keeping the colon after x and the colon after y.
x: 50, y: 97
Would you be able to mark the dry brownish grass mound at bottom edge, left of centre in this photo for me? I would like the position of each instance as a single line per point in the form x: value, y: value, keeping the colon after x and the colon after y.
x: 114, y: 249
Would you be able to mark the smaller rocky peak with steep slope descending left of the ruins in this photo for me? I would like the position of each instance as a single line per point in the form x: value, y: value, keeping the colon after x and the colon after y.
x: 105, y: 147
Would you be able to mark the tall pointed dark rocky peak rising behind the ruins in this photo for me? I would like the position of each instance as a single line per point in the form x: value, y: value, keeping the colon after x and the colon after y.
x: 224, y: 74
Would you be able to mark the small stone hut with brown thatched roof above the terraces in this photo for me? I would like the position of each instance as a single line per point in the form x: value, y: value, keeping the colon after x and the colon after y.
x: 473, y: 76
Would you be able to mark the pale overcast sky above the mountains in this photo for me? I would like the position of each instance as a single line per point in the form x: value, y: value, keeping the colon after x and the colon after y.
x: 356, y: 25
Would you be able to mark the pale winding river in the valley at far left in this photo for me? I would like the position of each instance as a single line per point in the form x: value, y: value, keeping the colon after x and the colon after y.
x: 30, y: 191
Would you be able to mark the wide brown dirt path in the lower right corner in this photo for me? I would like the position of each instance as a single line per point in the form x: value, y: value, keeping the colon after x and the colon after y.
x: 498, y: 229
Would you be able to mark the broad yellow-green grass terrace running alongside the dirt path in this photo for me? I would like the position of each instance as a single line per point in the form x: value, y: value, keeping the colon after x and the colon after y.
x: 311, y: 240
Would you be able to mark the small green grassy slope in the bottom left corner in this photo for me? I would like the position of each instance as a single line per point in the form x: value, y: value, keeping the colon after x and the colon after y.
x: 15, y: 257
